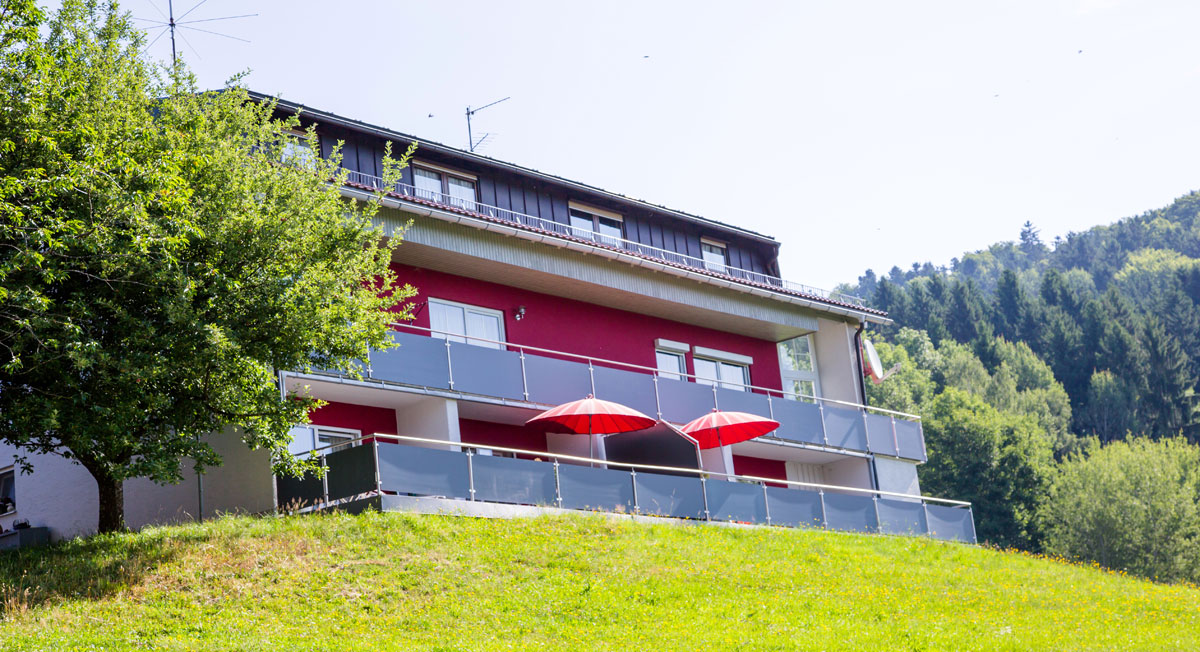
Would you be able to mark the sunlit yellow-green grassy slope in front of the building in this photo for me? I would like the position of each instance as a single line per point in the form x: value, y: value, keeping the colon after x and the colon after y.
x: 392, y: 582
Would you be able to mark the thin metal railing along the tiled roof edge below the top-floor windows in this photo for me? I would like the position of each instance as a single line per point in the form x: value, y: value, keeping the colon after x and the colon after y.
x: 603, y: 241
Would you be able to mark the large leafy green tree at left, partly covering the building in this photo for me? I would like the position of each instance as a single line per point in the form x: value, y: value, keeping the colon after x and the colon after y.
x: 165, y: 254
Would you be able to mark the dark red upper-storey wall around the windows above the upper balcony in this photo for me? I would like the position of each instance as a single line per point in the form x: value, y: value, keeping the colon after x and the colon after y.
x: 586, y: 330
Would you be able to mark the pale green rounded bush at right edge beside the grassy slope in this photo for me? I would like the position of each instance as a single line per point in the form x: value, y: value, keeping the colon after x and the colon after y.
x: 1132, y: 506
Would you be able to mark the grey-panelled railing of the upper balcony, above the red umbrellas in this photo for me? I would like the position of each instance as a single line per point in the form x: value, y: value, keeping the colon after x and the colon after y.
x: 544, y: 378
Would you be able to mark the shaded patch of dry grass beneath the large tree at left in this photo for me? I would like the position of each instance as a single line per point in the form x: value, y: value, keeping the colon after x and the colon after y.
x: 88, y: 569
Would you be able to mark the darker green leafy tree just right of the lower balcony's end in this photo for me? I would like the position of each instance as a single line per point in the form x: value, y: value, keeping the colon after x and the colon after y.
x: 1000, y: 463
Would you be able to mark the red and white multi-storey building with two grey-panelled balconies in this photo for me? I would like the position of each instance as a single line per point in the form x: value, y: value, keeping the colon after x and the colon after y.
x: 536, y: 291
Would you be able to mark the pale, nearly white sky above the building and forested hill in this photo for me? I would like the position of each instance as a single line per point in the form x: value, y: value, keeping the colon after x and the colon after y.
x: 859, y: 134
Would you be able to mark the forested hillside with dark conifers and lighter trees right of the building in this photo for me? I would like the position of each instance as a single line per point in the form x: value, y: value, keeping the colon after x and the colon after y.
x: 1058, y: 386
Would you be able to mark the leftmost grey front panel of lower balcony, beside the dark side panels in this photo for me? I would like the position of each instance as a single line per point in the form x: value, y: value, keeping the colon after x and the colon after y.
x: 424, y: 471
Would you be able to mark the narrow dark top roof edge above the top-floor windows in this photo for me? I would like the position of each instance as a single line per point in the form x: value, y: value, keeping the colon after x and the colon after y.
x: 358, y: 125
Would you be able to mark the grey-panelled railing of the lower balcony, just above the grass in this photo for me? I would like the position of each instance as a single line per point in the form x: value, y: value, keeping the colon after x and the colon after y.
x: 454, y: 470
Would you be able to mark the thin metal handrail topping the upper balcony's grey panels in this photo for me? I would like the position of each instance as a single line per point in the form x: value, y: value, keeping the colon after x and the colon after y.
x: 652, y: 372
